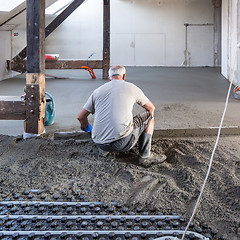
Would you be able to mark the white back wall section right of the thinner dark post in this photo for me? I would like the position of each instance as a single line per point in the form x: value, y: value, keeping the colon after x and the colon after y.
x: 151, y: 32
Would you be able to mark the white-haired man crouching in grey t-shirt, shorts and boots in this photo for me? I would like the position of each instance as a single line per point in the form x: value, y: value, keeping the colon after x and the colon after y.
x: 115, y: 129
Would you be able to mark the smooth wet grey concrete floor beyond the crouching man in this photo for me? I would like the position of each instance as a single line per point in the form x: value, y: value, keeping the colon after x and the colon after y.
x: 184, y: 97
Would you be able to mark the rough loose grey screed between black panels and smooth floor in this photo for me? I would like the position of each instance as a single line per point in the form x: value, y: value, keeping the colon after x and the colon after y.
x: 172, y: 186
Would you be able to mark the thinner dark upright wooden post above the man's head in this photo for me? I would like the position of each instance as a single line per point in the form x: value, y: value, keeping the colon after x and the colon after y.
x: 106, y: 38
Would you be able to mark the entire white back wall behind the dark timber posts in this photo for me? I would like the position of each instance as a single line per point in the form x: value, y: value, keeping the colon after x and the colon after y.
x: 143, y: 32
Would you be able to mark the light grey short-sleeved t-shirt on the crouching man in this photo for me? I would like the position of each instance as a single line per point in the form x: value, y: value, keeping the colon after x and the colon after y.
x: 112, y: 104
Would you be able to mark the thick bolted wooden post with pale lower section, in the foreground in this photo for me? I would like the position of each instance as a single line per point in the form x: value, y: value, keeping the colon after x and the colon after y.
x: 35, y: 79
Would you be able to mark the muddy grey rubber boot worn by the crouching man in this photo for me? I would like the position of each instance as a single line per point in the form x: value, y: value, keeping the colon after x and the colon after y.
x: 146, y: 157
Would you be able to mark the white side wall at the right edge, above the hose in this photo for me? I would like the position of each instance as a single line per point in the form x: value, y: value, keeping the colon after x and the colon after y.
x: 230, y: 39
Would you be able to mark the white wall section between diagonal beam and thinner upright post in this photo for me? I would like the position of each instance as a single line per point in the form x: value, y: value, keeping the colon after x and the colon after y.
x: 80, y: 35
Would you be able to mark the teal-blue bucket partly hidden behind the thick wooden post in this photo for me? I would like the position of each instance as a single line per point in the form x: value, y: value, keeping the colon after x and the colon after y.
x: 49, y: 110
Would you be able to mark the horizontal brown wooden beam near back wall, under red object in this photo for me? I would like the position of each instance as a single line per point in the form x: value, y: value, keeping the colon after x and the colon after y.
x: 62, y: 64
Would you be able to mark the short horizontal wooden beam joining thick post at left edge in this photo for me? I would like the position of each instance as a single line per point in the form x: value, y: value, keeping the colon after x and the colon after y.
x: 12, y: 108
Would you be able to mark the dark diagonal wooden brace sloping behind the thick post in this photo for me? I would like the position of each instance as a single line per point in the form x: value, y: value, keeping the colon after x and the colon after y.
x: 52, y: 26
